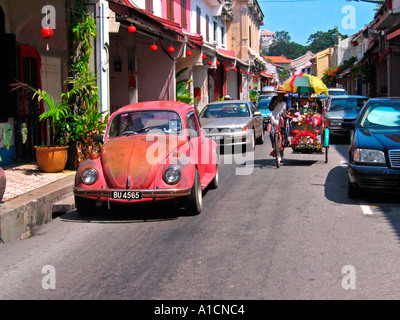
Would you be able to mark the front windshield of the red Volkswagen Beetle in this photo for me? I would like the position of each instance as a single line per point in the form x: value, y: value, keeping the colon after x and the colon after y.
x: 145, y: 122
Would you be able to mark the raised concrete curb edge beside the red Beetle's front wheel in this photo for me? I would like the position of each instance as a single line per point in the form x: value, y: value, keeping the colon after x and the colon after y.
x: 20, y: 217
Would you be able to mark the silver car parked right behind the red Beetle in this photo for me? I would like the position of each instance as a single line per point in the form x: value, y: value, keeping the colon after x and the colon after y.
x: 233, y: 123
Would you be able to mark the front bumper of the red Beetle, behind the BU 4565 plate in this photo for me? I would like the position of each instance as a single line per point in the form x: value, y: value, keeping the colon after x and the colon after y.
x: 104, y: 194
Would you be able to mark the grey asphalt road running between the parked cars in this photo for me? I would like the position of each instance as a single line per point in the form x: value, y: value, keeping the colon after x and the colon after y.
x: 288, y: 233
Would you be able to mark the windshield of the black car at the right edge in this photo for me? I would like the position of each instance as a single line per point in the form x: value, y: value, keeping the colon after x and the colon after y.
x: 381, y: 114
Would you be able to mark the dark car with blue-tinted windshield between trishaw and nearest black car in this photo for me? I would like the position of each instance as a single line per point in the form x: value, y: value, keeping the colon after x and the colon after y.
x: 341, y: 113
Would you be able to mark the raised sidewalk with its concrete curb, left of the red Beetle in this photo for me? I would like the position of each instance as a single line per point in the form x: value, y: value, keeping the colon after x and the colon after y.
x: 29, y: 197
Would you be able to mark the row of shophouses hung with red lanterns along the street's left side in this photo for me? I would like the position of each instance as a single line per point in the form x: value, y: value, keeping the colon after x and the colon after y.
x: 139, y: 49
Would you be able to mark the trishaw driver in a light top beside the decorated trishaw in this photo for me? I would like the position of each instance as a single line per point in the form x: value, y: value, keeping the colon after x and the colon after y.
x: 279, y: 106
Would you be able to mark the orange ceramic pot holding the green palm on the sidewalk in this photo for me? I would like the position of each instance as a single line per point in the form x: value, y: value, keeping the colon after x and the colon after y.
x: 51, y: 159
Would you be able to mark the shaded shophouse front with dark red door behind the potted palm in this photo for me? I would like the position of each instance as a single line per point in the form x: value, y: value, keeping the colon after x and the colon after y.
x: 24, y: 57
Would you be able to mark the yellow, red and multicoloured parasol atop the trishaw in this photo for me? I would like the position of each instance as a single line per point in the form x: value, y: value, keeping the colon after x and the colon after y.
x: 304, y: 82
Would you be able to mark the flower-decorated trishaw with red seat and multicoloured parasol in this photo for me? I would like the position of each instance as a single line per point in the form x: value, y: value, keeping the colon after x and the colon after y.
x: 303, y: 129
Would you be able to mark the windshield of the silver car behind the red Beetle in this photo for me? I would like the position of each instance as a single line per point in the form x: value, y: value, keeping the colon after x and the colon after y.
x: 228, y: 110
